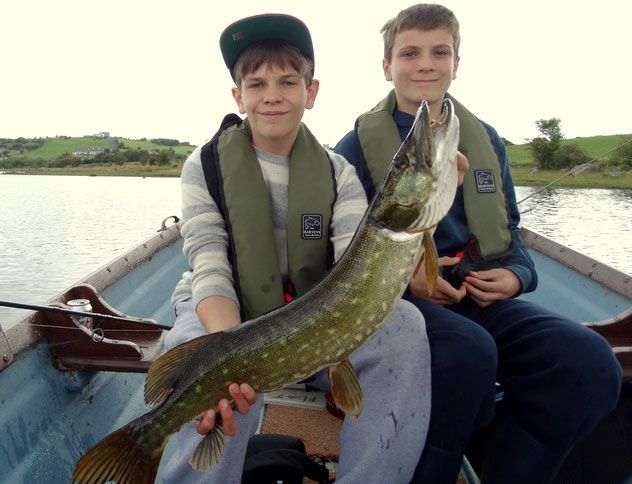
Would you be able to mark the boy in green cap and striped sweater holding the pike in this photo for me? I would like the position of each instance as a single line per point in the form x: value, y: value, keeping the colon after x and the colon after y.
x: 246, y: 196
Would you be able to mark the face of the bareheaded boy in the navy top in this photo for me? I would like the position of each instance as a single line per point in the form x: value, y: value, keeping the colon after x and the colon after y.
x: 422, y: 66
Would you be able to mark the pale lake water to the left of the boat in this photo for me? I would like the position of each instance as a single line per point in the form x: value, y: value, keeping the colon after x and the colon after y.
x: 55, y: 230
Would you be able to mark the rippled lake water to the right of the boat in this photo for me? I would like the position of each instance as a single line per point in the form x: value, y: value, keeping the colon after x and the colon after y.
x: 596, y: 222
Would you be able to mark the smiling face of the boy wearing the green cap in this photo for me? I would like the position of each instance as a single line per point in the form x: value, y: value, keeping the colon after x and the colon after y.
x: 274, y: 99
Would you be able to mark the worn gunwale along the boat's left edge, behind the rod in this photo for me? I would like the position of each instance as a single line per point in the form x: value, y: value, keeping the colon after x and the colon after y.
x: 25, y: 332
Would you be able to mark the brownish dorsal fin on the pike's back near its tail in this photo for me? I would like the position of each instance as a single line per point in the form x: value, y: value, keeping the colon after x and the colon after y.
x: 164, y: 372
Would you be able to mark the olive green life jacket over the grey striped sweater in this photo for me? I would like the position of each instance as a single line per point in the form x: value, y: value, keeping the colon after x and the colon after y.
x: 236, y: 183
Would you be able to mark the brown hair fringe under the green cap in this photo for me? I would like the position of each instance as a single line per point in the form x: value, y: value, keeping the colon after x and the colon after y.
x: 274, y: 52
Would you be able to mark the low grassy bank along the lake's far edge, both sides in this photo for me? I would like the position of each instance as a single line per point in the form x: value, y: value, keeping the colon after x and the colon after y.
x: 522, y: 175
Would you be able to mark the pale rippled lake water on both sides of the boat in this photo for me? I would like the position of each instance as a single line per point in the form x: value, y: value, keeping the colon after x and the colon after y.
x: 54, y: 230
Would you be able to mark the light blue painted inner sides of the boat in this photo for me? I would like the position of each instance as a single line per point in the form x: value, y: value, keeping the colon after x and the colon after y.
x: 50, y: 417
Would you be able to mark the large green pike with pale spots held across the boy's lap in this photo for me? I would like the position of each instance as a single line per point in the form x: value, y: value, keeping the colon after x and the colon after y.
x: 318, y: 330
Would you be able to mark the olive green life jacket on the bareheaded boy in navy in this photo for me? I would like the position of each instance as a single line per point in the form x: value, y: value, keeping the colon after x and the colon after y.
x: 484, y: 199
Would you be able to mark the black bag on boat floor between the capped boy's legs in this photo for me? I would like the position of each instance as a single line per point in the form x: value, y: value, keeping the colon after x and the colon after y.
x: 275, y: 458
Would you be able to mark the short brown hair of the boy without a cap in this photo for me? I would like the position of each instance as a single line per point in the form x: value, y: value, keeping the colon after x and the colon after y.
x: 423, y: 16
